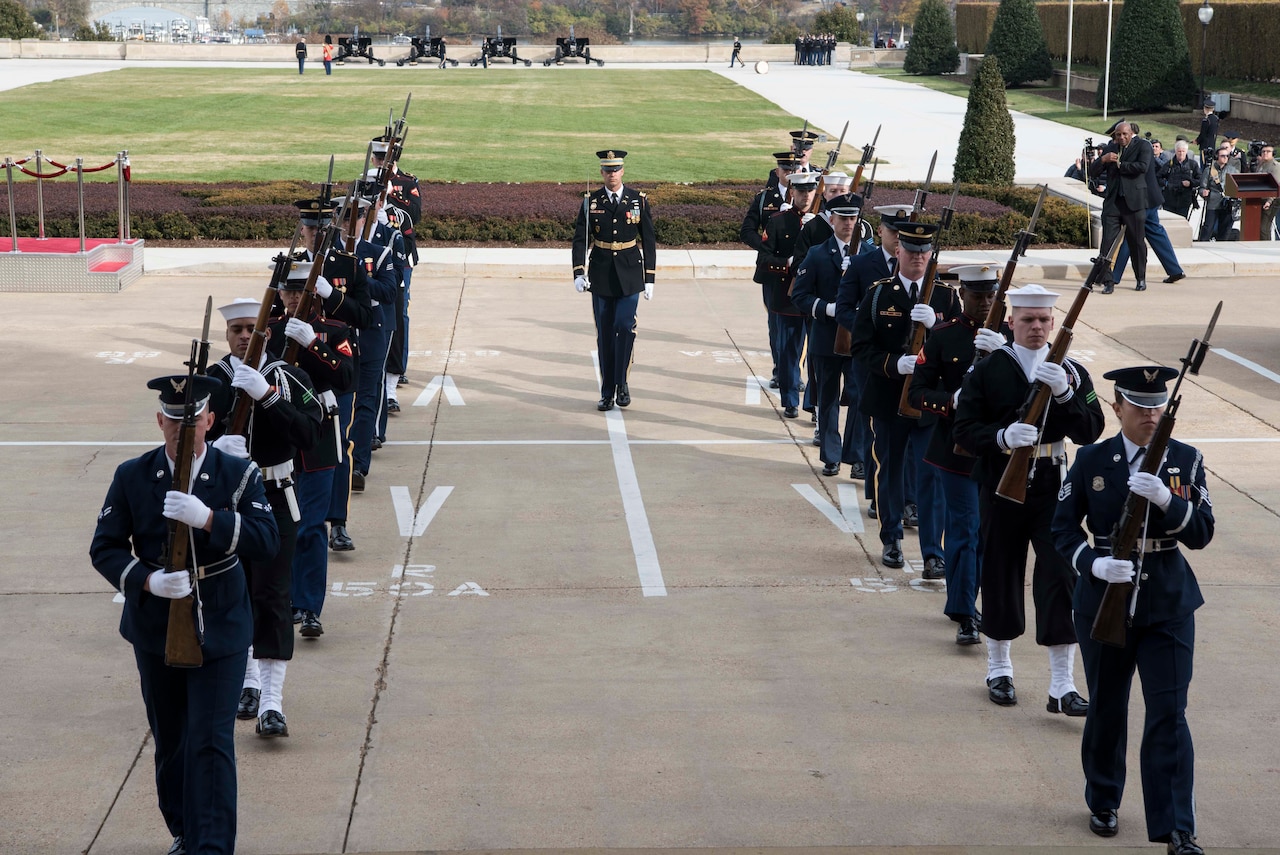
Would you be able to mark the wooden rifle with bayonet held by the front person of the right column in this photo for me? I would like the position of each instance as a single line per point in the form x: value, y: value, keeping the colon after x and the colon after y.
x: 1121, y: 600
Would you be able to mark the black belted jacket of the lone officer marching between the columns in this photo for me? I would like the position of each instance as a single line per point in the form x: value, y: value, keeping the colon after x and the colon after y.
x: 621, y: 243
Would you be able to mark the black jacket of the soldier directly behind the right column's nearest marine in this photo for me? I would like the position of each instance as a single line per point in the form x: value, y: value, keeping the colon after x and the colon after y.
x: 881, y: 331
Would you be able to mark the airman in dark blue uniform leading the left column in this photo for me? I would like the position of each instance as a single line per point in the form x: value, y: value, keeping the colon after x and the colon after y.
x: 191, y: 711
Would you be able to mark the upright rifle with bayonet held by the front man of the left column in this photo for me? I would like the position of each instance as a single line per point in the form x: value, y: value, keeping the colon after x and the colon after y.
x: 184, y: 635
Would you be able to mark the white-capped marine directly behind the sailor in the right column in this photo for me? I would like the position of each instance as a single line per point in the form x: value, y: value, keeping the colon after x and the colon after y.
x: 940, y: 372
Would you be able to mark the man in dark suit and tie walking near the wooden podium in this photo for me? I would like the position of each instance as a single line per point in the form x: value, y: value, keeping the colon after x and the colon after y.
x: 1123, y: 167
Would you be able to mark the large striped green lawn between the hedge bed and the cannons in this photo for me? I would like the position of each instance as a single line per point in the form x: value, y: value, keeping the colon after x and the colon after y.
x: 222, y: 125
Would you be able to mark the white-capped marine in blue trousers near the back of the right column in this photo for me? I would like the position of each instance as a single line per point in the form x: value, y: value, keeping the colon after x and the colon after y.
x: 775, y: 271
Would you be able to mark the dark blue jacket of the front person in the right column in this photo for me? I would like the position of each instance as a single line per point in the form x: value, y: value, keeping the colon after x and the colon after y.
x: 1096, y: 491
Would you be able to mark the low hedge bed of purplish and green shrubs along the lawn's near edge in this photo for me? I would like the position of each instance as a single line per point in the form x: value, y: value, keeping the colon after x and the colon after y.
x: 511, y: 214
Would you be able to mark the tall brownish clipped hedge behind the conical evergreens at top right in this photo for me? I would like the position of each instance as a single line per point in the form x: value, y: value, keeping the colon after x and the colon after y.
x: 1252, y: 58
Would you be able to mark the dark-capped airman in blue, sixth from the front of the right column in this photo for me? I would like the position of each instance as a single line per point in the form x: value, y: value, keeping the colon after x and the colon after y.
x: 815, y: 294
